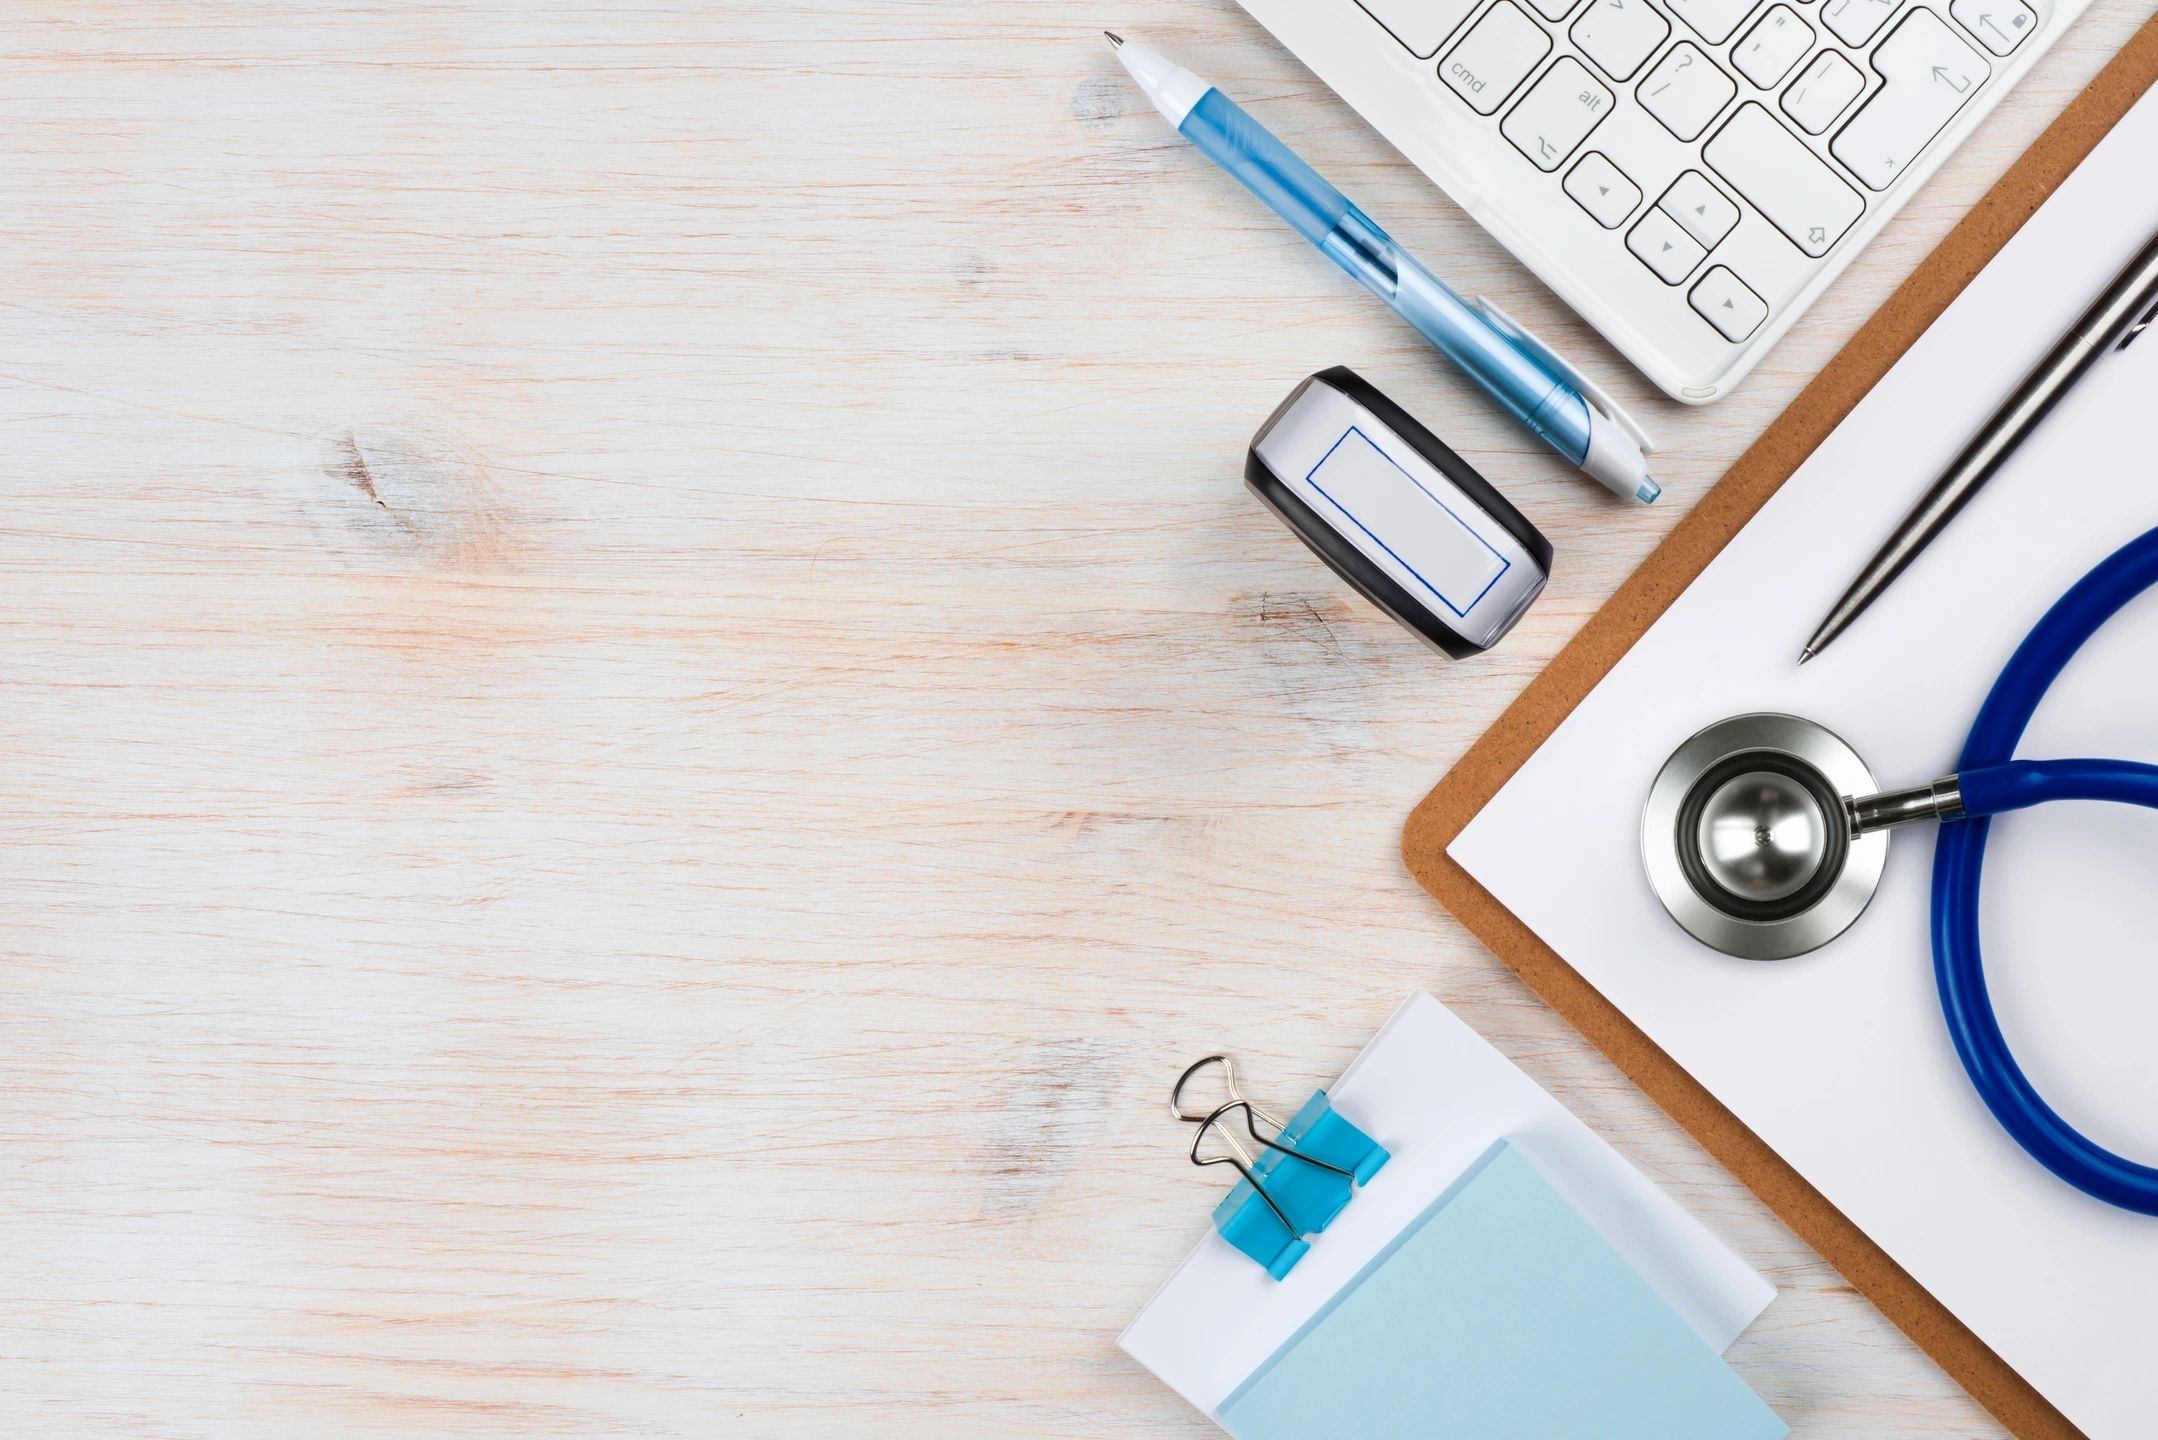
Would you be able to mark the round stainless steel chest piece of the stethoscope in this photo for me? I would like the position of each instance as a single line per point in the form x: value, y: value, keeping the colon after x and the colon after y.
x: 1751, y: 839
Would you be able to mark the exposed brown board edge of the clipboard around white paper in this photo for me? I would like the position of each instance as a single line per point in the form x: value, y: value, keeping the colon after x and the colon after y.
x: 1633, y: 610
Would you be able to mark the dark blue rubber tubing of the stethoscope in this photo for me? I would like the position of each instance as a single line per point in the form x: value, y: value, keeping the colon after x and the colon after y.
x: 1993, y: 780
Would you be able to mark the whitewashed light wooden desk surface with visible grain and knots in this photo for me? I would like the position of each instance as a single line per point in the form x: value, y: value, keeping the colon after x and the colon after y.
x: 644, y: 714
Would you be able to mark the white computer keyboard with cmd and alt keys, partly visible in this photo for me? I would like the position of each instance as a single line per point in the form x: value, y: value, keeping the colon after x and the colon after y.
x: 1684, y: 174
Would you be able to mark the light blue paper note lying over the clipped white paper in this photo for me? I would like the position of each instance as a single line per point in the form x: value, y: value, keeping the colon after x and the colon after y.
x: 1499, y: 1314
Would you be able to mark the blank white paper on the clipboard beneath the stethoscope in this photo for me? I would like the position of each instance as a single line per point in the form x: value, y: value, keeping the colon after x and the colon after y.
x: 1842, y: 1061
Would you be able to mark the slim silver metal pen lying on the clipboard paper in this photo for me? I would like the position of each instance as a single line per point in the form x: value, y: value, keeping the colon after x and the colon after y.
x: 2116, y: 318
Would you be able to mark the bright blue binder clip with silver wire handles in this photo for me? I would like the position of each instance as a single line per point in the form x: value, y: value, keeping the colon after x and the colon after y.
x: 1298, y: 1186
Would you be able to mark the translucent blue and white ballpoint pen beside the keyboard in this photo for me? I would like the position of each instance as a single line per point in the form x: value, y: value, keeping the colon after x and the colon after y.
x: 1518, y: 370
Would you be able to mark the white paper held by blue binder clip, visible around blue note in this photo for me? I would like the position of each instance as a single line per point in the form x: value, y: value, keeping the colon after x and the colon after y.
x: 1436, y: 1096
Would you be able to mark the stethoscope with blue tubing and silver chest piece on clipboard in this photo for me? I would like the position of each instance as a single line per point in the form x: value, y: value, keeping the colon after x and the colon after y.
x: 1764, y: 837
